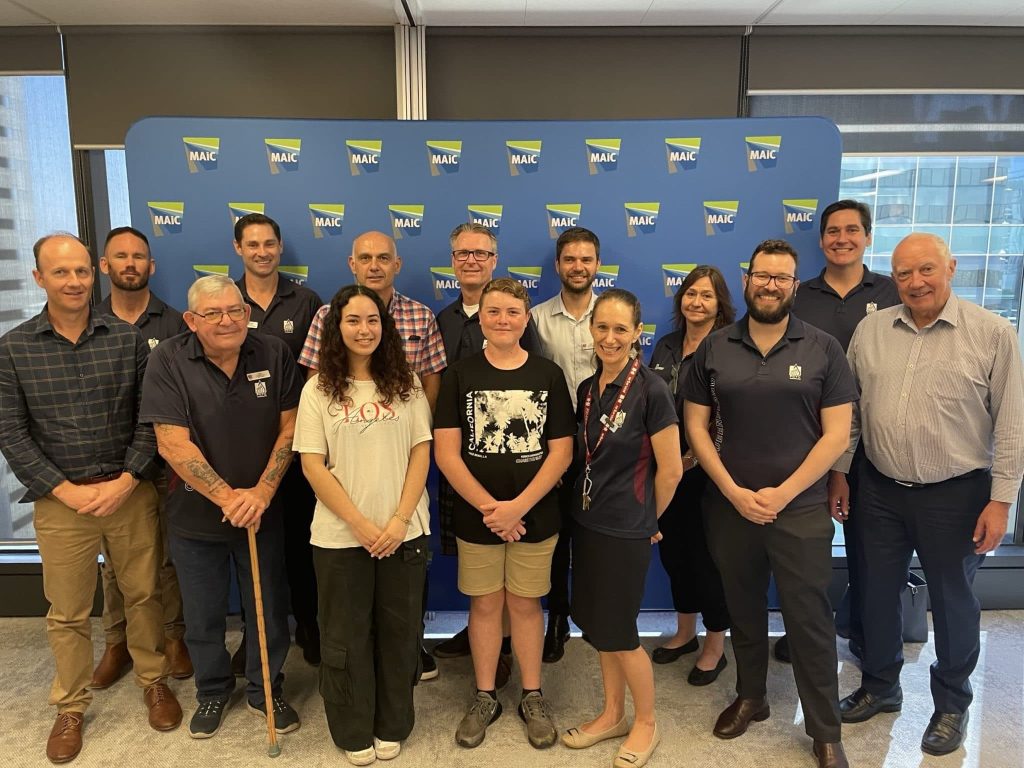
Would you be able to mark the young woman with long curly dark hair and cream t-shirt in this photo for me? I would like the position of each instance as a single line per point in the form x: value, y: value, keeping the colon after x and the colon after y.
x: 364, y: 436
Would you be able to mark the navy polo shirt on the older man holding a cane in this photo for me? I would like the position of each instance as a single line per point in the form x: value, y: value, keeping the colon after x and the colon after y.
x: 234, y: 422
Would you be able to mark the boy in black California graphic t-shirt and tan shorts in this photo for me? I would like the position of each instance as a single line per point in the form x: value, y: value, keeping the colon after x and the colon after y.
x: 503, y: 432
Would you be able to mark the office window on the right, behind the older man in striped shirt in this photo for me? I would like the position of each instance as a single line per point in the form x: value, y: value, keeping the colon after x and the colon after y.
x: 947, y: 164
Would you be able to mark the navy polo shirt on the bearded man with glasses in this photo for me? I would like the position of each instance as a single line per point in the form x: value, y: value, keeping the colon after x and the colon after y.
x: 766, y: 410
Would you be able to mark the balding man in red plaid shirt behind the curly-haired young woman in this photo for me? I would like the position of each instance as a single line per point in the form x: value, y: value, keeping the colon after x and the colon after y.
x: 375, y: 264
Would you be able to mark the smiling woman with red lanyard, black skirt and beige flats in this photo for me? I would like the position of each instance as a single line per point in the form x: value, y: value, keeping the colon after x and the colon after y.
x: 629, y: 441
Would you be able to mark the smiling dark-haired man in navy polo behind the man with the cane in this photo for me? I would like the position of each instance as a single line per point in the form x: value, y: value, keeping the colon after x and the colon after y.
x: 281, y: 308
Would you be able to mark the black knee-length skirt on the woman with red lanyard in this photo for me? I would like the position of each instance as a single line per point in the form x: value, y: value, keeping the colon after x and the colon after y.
x: 609, y: 578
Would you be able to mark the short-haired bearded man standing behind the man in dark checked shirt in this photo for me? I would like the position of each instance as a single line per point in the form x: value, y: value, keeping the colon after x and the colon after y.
x: 130, y: 266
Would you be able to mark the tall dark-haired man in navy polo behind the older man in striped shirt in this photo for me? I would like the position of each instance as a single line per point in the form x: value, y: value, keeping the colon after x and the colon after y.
x: 836, y: 302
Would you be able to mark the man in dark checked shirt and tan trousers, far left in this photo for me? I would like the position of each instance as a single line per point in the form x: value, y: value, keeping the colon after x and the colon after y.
x: 71, y: 380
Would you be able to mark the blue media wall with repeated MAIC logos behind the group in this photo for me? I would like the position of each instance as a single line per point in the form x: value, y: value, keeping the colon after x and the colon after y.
x: 663, y: 196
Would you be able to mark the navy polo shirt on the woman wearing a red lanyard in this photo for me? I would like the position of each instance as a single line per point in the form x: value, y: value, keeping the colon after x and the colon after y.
x: 623, y: 470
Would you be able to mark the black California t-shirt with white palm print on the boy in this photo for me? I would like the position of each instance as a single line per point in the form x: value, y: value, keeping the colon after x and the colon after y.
x: 506, y: 418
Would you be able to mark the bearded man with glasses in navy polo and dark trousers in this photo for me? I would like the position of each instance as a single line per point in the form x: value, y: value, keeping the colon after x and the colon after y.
x: 767, y: 412
